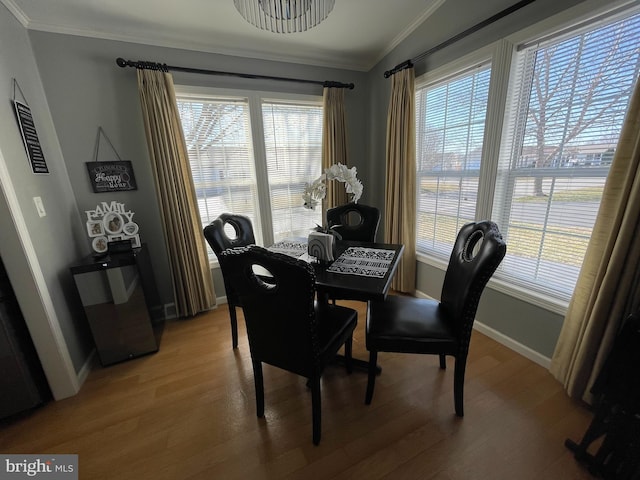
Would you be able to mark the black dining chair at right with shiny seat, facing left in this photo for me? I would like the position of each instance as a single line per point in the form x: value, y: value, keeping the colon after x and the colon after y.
x: 405, y: 324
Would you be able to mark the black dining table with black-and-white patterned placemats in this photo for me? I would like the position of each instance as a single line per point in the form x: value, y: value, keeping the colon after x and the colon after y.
x: 361, y: 271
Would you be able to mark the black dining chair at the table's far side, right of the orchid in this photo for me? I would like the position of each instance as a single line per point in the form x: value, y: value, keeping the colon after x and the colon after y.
x: 354, y: 221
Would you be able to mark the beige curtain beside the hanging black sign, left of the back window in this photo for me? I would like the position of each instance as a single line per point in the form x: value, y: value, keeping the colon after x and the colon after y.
x: 192, y: 282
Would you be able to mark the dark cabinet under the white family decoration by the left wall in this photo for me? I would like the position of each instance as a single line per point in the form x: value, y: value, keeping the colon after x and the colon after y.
x: 121, y: 302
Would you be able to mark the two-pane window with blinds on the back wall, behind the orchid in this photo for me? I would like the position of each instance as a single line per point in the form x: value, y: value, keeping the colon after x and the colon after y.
x: 252, y: 156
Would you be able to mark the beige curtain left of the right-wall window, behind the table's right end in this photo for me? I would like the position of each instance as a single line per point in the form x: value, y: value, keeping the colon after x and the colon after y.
x: 400, y: 189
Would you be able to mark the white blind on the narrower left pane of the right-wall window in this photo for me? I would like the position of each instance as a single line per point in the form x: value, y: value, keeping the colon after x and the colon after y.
x: 450, y: 123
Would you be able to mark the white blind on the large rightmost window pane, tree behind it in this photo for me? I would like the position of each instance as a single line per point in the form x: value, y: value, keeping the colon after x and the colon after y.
x: 569, y: 100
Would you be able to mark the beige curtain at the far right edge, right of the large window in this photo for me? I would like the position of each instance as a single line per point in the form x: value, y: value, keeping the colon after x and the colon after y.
x: 607, y: 288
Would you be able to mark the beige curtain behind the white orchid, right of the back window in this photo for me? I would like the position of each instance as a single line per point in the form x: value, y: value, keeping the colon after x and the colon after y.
x: 334, y: 143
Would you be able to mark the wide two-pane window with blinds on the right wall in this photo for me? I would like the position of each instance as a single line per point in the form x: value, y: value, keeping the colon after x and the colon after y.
x: 568, y: 95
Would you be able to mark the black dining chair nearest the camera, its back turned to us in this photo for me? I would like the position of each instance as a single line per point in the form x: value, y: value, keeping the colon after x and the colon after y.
x: 286, y: 327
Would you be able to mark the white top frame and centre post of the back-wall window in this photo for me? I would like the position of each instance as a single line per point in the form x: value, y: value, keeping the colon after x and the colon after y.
x: 255, y: 99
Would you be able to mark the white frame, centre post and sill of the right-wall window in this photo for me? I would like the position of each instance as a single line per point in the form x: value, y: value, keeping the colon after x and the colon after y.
x: 502, y: 55
